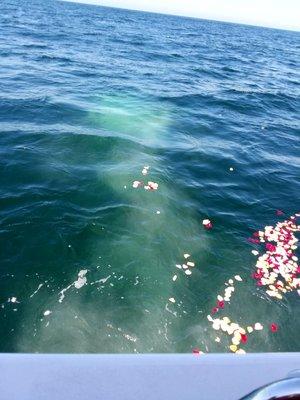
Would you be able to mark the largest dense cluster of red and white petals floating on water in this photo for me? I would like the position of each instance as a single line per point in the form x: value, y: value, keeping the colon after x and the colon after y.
x: 277, y: 268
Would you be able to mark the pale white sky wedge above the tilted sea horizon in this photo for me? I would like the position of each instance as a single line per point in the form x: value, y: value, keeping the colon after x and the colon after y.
x: 271, y: 13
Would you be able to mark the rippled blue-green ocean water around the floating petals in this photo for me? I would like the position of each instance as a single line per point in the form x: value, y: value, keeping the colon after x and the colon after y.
x: 88, y: 97
